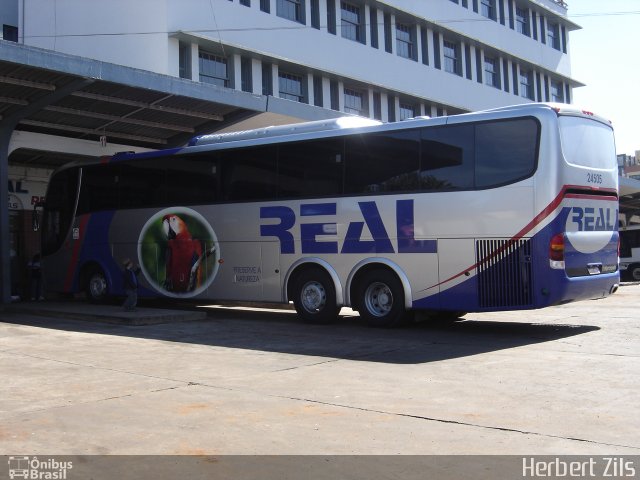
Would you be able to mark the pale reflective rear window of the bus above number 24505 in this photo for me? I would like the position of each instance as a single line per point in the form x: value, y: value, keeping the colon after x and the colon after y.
x: 587, y: 143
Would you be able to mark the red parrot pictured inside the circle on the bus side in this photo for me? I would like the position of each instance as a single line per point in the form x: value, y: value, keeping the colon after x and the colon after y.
x: 183, y: 256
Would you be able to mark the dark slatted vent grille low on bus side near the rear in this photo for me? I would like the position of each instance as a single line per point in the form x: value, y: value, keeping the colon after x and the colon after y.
x: 504, y: 273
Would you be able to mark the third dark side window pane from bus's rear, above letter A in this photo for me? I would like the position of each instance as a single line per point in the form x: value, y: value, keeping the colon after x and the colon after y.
x: 382, y: 162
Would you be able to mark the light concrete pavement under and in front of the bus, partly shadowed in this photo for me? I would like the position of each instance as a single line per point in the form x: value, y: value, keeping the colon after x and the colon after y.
x: 563, y: 380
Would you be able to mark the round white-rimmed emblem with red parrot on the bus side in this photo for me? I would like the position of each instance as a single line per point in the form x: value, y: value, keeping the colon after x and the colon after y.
x: 178, y: 252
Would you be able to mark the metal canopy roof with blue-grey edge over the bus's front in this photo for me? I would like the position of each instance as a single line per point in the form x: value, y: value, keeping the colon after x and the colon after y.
x: 88, y: 99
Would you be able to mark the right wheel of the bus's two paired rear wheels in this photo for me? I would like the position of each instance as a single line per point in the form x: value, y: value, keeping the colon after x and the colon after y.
x: 380, y: 298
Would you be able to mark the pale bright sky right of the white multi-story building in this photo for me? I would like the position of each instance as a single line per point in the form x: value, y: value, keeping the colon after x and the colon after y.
x: 605, y: 55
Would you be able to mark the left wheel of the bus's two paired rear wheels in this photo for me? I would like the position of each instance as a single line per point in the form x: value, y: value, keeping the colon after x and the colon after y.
x: 314, y: 296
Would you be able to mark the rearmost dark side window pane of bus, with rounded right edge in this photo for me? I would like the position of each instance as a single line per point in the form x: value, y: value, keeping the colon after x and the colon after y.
x: 505, y: 151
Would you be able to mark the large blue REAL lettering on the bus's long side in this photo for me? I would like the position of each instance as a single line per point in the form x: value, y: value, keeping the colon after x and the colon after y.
x: 353, y: 242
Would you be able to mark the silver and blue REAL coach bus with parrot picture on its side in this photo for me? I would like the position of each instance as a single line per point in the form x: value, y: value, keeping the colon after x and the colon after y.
x: 512, y: 208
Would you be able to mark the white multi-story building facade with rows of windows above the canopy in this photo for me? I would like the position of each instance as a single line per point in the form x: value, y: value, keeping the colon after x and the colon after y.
x: 387, y: 60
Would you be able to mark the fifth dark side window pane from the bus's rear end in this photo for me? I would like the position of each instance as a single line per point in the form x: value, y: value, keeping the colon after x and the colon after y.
x: 249, y: 173
